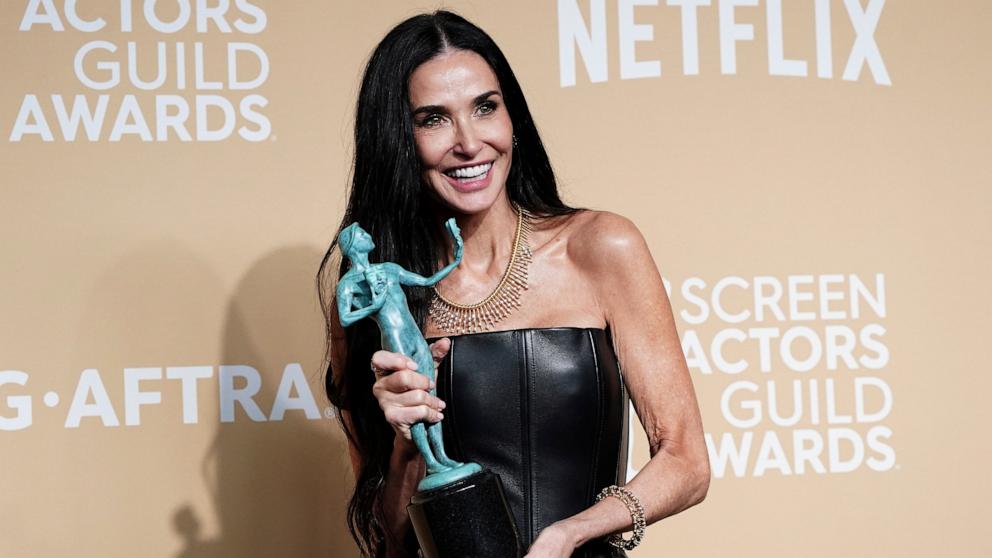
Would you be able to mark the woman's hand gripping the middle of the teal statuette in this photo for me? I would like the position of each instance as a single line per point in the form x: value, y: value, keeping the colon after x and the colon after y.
x: 403, y: 393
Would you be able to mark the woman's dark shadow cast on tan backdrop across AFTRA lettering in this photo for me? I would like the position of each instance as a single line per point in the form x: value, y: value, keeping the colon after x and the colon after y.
x: 279, y: 488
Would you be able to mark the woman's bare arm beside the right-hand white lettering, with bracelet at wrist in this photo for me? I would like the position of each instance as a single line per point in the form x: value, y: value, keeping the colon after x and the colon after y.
x: 632, y: 297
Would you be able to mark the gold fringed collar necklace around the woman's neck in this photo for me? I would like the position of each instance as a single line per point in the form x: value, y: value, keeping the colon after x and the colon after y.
x: 456, y: 318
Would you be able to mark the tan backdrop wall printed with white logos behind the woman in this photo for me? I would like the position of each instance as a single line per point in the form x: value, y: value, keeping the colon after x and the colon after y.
x: 812, y: 176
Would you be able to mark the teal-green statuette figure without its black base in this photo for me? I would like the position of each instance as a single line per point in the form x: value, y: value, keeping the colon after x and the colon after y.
x: 375, y: 291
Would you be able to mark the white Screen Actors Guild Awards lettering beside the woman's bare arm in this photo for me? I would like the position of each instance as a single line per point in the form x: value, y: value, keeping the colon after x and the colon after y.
x: 801, y: 360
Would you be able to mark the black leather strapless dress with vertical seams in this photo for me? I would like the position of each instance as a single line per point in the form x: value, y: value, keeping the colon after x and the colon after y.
x: 544, y: 408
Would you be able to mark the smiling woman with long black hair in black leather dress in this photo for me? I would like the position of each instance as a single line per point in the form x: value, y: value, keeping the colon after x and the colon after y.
x: 568, y: 298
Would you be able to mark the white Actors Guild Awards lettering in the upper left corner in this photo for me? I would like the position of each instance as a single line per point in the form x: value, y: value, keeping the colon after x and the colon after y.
x: 108, y: 70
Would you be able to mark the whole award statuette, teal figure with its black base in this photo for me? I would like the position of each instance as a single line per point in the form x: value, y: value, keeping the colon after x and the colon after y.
x: 460, y: 509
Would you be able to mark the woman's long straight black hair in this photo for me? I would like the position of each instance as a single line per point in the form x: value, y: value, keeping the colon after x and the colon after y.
x: 389, y: 200
